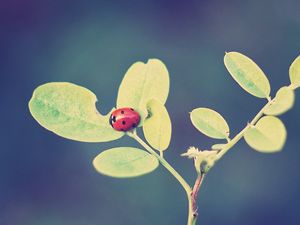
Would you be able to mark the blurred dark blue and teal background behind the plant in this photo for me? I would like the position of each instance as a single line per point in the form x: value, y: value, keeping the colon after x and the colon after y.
x: 48, y: 180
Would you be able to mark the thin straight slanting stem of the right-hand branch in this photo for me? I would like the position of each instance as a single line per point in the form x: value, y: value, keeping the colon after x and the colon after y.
x: 234, y: 140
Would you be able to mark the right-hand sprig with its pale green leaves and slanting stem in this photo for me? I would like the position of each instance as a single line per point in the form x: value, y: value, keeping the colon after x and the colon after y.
x: 265, y: 134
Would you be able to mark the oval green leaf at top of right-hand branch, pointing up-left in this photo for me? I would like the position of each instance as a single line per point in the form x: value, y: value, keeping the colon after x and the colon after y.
x: 247, y: 74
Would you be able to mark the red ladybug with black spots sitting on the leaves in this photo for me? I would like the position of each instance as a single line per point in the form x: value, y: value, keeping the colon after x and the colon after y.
x: 124, y: 119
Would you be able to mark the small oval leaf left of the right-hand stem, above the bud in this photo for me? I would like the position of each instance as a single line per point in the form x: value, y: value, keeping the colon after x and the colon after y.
x: 210, y: 123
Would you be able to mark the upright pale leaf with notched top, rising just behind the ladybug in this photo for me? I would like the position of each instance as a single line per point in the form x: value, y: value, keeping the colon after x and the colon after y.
x: 141, y: 83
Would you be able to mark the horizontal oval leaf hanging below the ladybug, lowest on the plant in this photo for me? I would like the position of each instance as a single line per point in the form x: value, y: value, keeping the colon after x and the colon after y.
x: 124, y: 162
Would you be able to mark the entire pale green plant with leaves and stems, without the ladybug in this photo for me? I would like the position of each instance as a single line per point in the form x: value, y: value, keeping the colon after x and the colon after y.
x: 69, y: 111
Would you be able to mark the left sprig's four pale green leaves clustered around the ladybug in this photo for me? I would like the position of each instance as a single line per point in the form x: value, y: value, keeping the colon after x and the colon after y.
x: 69, y: 111
